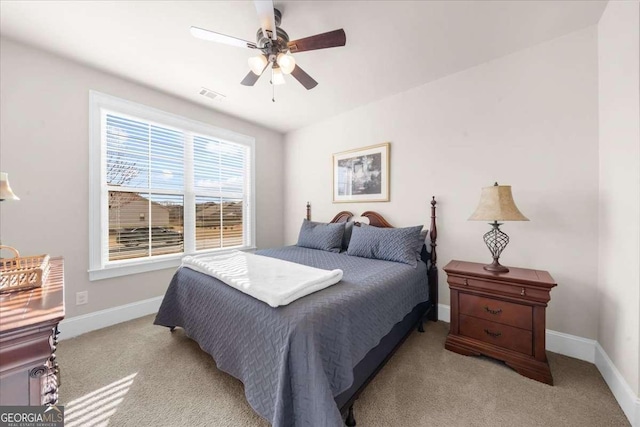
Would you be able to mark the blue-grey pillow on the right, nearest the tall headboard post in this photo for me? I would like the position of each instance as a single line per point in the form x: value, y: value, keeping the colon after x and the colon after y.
x: 390, y: 244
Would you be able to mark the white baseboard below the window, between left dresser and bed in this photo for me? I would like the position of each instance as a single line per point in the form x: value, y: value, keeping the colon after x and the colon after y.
x: 79, y: 325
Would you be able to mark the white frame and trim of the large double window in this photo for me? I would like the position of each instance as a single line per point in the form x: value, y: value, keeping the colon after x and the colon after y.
x: 99, y: 266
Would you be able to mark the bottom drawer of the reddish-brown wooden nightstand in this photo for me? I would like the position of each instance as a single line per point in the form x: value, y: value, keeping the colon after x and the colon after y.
x: 496, y: 333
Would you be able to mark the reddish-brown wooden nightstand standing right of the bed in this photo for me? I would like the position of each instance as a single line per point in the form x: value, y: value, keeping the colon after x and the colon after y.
x: 500, y: 315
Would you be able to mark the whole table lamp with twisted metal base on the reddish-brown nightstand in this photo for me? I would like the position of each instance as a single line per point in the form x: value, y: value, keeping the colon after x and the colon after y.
x: 496, y: 204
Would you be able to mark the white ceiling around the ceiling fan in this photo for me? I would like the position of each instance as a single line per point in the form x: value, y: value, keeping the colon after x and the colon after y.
x: 391, y: 46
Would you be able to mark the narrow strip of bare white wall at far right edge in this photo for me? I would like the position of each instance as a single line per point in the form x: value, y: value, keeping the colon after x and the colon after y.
x: 619, y: 202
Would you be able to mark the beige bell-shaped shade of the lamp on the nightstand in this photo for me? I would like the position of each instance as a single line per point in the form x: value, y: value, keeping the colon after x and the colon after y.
x: 496, y: 204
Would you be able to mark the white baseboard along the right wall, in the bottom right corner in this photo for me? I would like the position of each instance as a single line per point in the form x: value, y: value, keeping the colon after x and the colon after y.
x: 626, y: 398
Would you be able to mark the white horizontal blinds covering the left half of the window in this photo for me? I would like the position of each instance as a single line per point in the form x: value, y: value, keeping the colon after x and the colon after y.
x: 145, y: 183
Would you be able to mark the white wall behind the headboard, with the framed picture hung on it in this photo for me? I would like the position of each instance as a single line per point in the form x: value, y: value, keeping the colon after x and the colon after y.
x: 529, y: 119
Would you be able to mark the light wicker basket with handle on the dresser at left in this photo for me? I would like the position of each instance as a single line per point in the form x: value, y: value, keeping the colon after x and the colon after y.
x: 20, y: 273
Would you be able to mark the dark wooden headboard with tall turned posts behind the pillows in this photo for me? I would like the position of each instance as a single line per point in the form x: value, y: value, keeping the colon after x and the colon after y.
x: 377, y: 220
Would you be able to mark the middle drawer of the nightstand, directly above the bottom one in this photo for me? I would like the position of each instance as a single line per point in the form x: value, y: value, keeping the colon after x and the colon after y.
x: 507, y: 313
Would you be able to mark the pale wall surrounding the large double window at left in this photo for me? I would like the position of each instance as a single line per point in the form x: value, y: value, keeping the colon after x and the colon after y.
x: 44, y: 147
